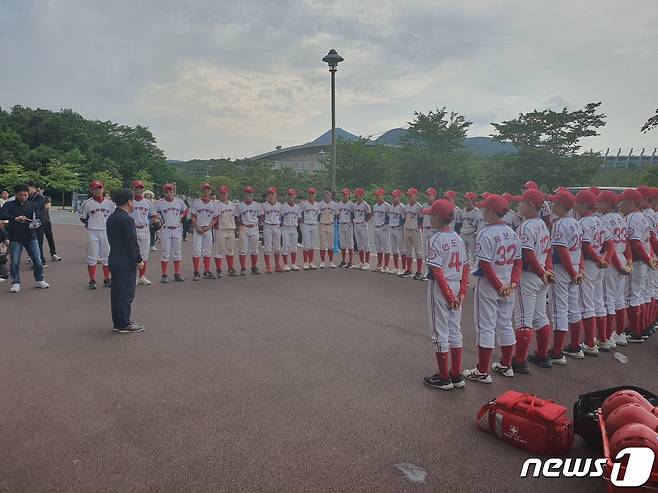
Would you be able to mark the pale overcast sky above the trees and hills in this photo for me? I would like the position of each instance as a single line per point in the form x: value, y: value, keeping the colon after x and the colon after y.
x: 213, y: 78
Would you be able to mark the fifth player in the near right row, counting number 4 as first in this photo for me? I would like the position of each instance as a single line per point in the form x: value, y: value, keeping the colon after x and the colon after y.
x: 596, y: 244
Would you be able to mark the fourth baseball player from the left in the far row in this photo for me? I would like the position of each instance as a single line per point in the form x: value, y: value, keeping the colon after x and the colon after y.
x: 204, y: 217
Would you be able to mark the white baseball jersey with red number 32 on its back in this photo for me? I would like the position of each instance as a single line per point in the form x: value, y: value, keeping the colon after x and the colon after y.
x: 498, y: 245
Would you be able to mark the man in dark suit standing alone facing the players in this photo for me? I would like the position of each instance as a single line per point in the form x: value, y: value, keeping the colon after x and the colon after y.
x: 124, y: 260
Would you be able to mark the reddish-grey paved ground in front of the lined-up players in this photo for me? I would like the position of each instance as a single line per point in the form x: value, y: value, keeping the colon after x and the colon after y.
x: 306, y: 381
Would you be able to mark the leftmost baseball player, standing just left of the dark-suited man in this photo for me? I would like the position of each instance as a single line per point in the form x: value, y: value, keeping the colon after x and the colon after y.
x: 94, y: 213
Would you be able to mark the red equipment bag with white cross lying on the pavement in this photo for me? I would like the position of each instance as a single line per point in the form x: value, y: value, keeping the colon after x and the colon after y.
x: 528, y: 422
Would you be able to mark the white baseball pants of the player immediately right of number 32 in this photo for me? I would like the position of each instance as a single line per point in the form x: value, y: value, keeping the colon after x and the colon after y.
x: 530, y: 302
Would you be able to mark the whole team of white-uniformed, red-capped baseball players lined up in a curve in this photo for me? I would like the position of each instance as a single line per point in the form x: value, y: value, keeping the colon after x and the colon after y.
x: 589, y: 258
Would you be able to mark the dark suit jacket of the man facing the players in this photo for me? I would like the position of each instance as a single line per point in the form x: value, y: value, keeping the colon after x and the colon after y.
x: 122, y: 236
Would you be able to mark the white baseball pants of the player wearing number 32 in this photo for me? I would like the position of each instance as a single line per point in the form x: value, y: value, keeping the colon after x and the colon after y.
x: 493, y: 316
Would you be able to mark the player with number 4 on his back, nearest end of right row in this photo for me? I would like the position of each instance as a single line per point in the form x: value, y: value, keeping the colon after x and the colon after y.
x: 446, y: 290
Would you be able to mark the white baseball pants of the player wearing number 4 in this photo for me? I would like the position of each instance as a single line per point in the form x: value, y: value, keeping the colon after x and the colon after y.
x: 445, y: 324
